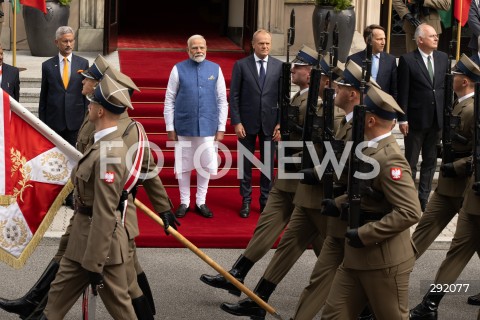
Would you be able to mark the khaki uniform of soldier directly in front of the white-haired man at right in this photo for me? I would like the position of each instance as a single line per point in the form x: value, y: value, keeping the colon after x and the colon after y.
x: 447, y: 199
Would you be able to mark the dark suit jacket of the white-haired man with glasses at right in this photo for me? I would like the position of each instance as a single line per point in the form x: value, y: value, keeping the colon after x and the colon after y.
x: 421, y: 100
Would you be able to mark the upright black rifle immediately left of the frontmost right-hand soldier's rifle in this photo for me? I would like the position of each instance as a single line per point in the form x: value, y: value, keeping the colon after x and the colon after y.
x: 328, y: 132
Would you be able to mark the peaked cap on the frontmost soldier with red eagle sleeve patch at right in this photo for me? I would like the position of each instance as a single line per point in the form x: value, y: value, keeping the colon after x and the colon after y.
x: 382, y: 104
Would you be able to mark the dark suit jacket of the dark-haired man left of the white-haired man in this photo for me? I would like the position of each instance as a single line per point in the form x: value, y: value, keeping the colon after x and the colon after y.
x: 387, y: 71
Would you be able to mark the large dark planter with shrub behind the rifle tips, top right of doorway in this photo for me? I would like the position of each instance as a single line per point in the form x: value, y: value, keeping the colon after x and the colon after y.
x: 340, y: 12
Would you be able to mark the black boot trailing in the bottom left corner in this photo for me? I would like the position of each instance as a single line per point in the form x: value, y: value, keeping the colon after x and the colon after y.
x: 25, y: 305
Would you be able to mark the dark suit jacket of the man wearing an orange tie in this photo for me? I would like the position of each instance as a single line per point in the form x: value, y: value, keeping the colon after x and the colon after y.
x: 62, y: 108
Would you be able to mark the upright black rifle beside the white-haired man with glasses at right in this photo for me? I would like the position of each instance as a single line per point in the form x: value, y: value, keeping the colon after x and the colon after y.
x: 450, y: 122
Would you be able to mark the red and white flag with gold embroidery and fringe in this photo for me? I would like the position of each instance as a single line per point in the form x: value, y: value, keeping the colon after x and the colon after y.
x: 35, y: 166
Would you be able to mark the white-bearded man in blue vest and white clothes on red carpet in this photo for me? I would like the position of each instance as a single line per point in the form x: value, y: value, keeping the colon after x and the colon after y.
x: 195, y: 113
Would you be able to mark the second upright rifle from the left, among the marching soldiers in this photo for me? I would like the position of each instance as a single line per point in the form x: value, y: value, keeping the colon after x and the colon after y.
x: 312, y: 101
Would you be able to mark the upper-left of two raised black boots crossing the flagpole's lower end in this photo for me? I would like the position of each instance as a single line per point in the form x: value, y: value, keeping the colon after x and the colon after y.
x: 239, y: 270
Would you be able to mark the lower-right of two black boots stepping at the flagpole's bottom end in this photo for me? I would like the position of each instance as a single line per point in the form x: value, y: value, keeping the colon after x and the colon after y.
x: 247, y: 307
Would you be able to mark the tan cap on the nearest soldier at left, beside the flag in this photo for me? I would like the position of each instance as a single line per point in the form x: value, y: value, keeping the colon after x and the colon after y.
x: 111, y: 95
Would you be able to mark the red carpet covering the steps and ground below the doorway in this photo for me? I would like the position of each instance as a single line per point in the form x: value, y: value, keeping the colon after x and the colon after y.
x: 150, y: 71
